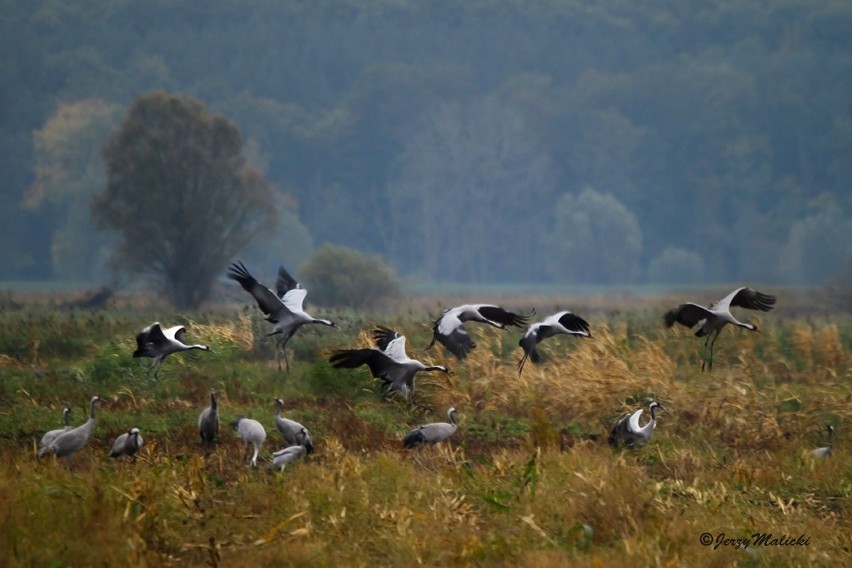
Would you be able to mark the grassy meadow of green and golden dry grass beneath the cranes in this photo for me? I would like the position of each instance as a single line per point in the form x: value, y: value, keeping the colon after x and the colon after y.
x: 527, y: 480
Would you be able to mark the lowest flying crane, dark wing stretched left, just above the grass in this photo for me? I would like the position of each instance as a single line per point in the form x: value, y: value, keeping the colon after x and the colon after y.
x: 391, y: 364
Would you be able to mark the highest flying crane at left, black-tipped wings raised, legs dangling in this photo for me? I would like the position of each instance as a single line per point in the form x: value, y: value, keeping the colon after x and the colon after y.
x: 283, y: 308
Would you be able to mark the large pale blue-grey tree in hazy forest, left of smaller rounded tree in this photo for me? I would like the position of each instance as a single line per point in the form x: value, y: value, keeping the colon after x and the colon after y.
x: 469, y: 191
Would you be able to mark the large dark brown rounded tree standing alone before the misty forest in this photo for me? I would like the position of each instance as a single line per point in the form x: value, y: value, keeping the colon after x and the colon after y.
x: 180, y: 195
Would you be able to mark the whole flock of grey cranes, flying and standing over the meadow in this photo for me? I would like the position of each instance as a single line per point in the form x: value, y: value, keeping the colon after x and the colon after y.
x: 389, y: 363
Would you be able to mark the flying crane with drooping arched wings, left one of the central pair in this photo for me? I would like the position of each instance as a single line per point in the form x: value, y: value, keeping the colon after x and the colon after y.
x: 449, y: 330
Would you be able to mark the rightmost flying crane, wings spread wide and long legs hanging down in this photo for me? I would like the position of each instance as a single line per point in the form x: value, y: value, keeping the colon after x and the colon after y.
x: 713, y: 318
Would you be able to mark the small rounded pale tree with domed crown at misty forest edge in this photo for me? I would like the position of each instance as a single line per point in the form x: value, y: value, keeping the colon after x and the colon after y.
x: 595, y: 240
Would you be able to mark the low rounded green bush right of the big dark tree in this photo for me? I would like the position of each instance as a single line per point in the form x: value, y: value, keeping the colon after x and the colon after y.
x: 340, y: 276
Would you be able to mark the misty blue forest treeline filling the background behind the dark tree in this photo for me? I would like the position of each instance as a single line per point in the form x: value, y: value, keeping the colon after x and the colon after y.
x: 482, y: 141
